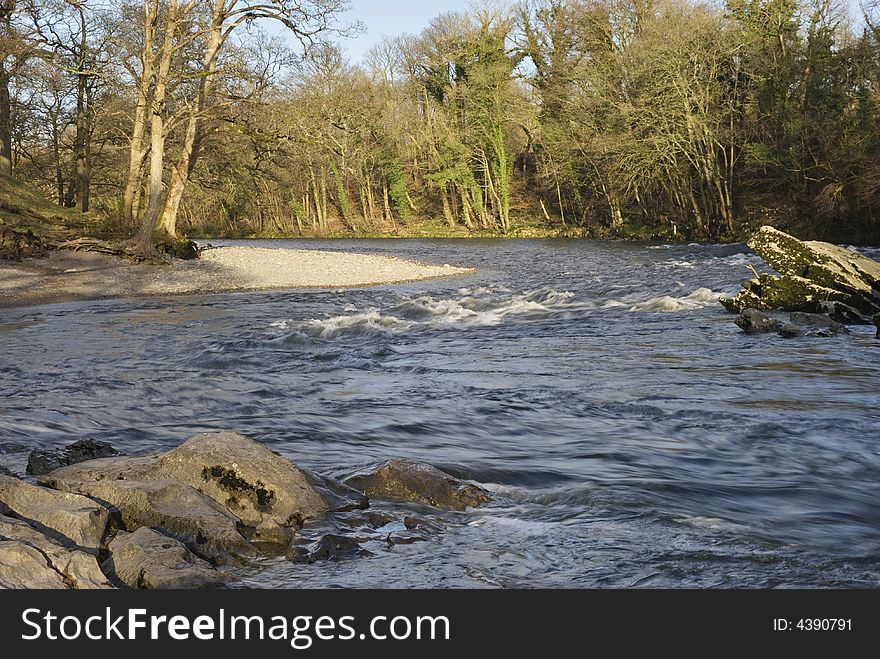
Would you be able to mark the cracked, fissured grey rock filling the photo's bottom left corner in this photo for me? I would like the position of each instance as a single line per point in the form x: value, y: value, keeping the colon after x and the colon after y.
x: 78, y: 569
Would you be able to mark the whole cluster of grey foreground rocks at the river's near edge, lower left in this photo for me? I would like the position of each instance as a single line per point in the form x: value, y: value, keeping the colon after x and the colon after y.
x: 166, y: 521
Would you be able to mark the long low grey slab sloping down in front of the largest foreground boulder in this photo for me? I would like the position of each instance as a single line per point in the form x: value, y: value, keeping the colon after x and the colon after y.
x: 173, y: 508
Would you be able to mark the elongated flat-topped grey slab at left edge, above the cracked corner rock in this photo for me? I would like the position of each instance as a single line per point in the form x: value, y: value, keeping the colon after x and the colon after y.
x: 73, y: 518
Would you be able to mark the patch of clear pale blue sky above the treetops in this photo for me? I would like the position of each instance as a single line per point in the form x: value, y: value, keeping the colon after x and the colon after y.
x: 393, y: 17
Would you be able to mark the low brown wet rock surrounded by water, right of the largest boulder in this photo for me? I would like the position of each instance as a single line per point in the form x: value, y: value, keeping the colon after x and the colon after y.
x: 406, y: 480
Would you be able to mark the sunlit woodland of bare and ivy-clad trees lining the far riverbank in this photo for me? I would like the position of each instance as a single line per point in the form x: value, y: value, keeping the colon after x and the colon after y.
x: 683, y: 119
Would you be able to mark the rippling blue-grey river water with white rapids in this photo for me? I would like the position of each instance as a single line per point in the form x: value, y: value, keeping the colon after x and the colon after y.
x: 631, y: 435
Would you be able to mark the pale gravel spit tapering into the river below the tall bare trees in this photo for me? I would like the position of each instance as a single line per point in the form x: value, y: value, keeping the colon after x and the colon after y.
x: 67, y: 276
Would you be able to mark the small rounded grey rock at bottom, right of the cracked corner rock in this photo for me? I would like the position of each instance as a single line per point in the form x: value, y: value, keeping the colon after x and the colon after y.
x: 148, y: 559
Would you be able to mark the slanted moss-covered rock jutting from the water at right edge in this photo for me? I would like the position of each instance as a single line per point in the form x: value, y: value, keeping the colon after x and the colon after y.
x: 813, y: 276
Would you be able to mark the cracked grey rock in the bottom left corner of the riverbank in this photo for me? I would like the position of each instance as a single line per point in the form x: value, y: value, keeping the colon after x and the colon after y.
x: 77, y: 569
